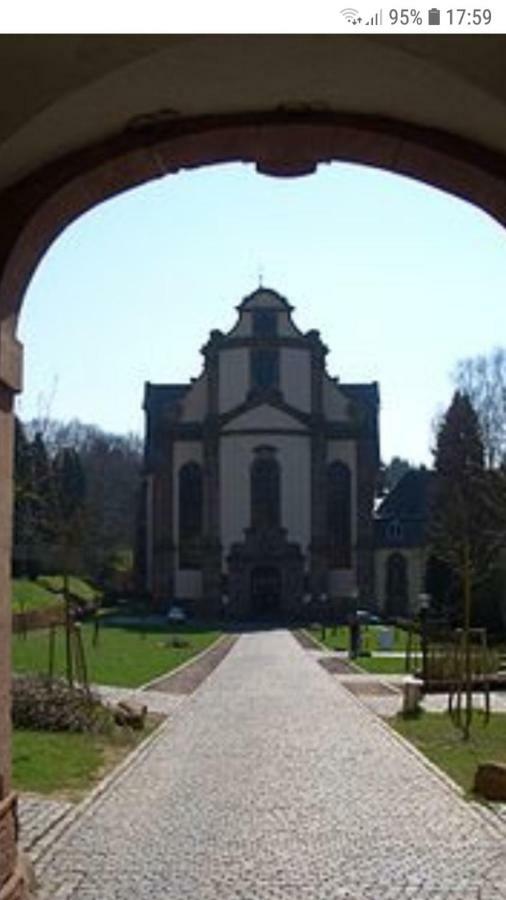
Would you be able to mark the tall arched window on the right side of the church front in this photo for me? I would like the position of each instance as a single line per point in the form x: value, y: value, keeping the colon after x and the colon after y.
x: 339, y: 515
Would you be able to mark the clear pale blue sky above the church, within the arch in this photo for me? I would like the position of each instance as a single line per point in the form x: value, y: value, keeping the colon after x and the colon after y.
x: 402, y: 280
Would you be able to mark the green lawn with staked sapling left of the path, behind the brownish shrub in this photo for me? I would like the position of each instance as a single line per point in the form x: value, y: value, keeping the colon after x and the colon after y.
x: 124, y: 656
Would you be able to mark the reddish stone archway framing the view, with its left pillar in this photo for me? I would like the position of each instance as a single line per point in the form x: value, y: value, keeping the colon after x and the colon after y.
x: 283, y: 140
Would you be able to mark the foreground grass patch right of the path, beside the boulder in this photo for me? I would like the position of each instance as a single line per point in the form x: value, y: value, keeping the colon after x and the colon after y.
x: 438, y: 738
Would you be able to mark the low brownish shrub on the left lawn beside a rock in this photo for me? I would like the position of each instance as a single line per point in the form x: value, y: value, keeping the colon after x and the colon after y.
x: 44, y: 705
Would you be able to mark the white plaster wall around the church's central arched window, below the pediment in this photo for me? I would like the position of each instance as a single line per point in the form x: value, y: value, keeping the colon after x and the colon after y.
x: 236, y: 457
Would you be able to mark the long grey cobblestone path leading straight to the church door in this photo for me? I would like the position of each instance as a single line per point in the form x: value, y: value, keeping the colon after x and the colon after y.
x: 273, y: 782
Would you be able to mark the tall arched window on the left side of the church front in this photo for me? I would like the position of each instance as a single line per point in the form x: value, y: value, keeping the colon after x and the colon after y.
x: 190, y: 515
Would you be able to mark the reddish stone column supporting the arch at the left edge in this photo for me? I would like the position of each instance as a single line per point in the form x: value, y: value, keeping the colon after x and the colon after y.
x: 12, y: 882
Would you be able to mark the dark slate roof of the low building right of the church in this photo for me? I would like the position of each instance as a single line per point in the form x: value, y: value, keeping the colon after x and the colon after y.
x: 401, y: 518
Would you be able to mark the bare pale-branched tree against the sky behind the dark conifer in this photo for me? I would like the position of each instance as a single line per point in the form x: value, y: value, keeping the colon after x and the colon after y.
x: 483, y: 379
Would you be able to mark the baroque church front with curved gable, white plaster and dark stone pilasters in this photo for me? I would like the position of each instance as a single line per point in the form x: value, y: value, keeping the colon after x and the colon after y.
x: 260, y: 475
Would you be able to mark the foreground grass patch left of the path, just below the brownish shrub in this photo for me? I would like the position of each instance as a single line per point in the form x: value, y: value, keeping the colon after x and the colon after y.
x: 68, y: 764
